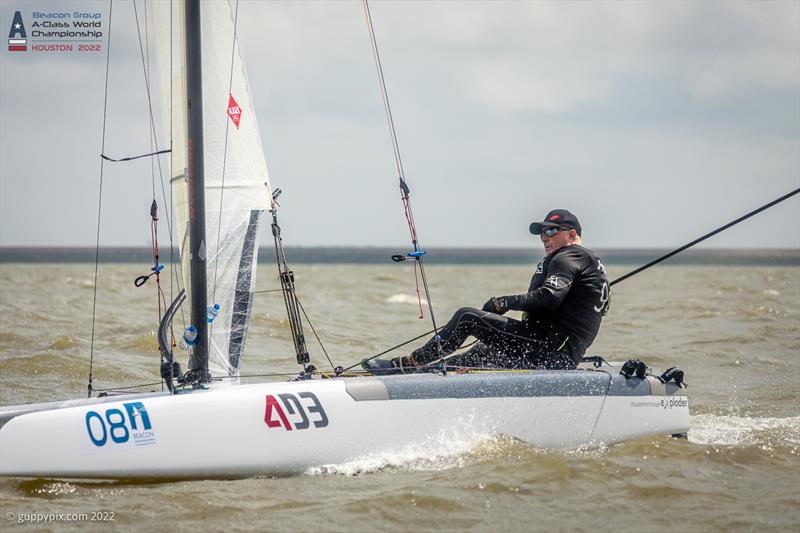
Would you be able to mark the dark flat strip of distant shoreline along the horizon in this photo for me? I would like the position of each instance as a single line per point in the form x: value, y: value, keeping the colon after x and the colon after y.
x: 436, y: 256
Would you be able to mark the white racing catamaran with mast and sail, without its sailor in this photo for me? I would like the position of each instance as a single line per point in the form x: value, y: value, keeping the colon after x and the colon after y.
x: 209, y: 425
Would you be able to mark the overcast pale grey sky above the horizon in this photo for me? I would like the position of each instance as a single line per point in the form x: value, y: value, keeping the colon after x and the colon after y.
x: 654, y: 122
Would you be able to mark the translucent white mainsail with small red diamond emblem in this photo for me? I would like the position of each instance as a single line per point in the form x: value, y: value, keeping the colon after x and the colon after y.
x: 237, y: 188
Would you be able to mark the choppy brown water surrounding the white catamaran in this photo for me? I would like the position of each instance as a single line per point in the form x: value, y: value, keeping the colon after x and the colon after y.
x: 734, y: 330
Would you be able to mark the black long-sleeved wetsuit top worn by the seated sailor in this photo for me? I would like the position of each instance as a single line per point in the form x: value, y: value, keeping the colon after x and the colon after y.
x: 570, y: 293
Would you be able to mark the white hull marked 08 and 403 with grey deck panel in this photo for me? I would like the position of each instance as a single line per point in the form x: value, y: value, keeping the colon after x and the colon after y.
x: 289, y: 427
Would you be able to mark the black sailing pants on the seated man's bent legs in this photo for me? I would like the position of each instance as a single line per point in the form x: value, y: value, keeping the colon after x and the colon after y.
x: 504, y: 343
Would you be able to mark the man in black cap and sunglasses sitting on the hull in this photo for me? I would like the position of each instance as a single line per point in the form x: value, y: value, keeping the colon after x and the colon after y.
x: 562, y: 310
